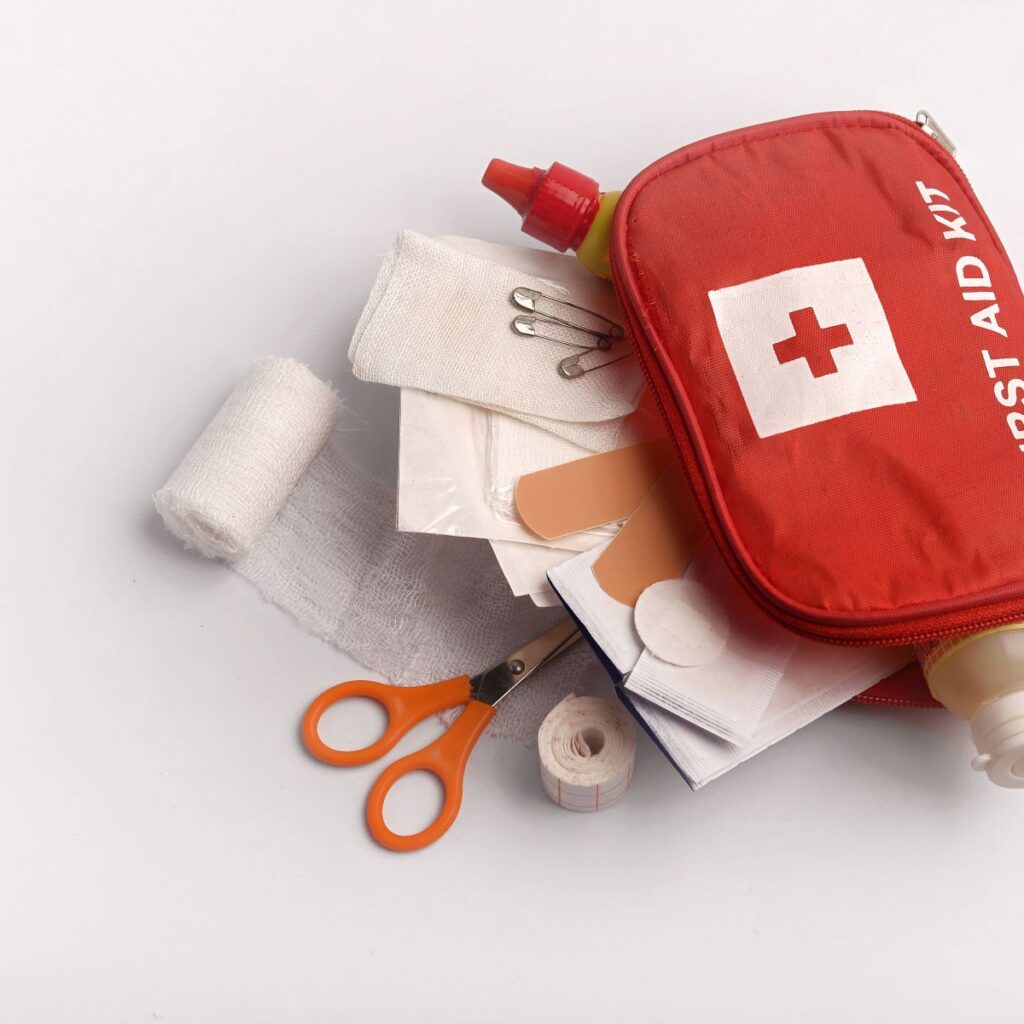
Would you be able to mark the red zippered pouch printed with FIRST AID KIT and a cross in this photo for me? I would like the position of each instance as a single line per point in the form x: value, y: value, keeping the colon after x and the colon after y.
x: 833, y: 330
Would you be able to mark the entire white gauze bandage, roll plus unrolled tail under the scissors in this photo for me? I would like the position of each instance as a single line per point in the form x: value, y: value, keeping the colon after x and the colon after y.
x: 412, y: 608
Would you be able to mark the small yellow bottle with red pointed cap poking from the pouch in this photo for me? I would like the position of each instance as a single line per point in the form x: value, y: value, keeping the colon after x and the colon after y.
x: 561, y: 207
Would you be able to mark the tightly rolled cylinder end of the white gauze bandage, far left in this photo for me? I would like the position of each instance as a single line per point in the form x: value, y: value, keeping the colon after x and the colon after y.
x: 237, y: 477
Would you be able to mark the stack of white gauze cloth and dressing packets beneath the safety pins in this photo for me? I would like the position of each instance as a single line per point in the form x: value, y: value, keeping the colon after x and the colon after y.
x: 482, y: 406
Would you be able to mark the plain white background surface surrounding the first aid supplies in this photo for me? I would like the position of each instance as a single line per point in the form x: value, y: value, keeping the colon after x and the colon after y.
x: 185, y: 187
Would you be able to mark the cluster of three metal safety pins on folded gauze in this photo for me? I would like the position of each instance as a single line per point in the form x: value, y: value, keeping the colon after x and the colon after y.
x: 540, y: 322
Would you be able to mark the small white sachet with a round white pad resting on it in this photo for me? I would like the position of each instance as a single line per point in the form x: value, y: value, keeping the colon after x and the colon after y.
x: 711, y: 656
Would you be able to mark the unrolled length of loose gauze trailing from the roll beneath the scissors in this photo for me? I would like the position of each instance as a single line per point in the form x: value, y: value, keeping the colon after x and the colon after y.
x: 415, y: 608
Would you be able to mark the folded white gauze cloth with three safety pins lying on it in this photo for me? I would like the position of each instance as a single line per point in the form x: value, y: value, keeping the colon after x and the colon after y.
x: 440, y: 320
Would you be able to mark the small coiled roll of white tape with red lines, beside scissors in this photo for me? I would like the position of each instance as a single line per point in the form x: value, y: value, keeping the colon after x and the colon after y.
x: 587, y: 748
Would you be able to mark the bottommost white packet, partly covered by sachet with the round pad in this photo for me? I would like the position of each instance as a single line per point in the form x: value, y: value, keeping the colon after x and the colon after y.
x: 819, y: 678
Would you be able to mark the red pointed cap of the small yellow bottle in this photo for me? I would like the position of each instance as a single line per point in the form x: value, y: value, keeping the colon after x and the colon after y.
x: 558, y: 206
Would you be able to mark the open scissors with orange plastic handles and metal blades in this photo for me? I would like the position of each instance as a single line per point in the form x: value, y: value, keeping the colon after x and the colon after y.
x: 446, y: 758
